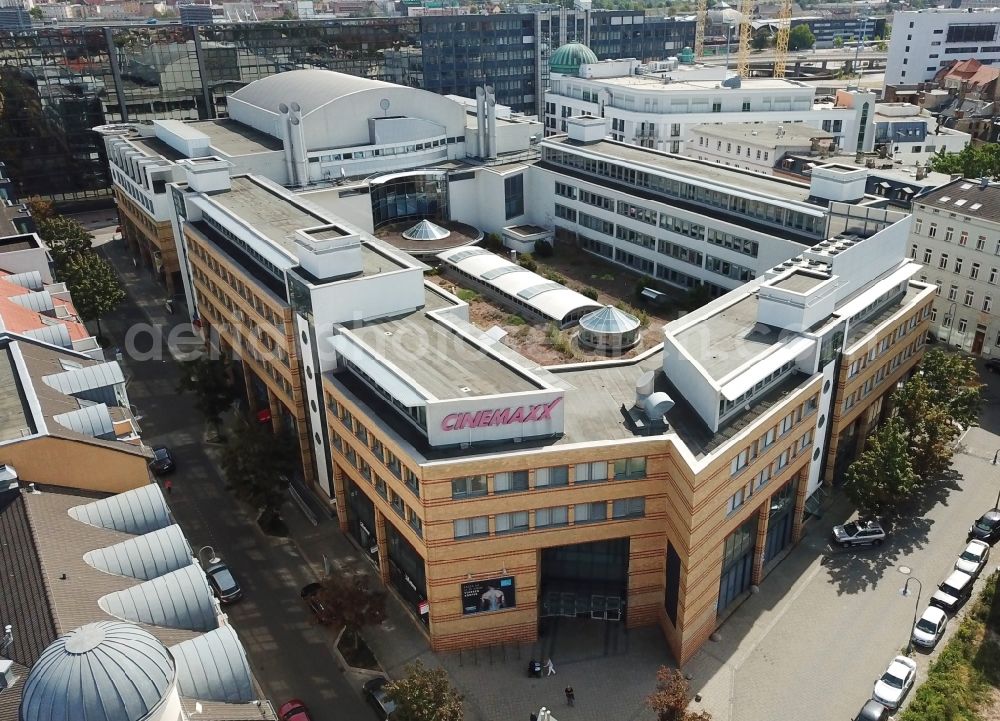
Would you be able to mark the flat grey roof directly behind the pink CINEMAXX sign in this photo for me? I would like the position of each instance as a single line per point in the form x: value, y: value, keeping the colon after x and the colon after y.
x: 443, y: 362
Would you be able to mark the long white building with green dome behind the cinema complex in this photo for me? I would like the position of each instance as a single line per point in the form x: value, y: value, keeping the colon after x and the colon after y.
x: 657, y: 109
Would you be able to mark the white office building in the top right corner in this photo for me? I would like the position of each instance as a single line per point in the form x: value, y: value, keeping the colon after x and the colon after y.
x: 924, y: 41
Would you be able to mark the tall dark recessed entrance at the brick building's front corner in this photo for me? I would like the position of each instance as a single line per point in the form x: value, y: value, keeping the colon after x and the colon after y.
x: 589, y: 580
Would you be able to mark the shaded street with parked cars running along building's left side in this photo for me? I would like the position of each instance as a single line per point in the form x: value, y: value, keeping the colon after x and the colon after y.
x: 291, y: 656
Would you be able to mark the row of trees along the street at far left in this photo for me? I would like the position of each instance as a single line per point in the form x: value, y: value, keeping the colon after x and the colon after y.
x: 90, y: 279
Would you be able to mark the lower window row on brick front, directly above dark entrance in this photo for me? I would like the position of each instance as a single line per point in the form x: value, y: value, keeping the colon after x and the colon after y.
x: 551, y: 517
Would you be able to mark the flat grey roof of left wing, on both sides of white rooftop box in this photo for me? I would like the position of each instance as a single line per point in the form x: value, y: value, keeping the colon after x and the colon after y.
x: 277, y: 217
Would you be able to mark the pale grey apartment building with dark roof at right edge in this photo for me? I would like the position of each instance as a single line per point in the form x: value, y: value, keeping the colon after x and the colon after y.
x: 956, y: 235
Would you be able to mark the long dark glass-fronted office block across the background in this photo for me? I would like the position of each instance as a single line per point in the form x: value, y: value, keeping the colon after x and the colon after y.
x: 58, y: 83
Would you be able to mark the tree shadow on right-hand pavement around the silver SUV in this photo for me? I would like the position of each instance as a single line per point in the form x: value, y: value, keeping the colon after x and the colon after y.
x: 858, y: 569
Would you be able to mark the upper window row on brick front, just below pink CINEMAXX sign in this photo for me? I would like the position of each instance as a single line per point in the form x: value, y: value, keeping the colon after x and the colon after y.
x: 549, y: 477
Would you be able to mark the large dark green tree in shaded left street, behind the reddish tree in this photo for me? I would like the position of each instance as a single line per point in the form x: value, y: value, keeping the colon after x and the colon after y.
x: 256, y: 464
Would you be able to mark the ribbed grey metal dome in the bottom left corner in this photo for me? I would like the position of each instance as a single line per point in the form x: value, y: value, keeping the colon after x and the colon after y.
x: 105, y: 671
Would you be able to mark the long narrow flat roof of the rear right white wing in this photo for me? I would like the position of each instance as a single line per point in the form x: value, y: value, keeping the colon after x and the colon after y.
x: 696, y: 169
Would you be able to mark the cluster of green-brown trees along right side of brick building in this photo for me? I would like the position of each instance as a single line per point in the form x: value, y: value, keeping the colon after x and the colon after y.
x: 913, y: 448
